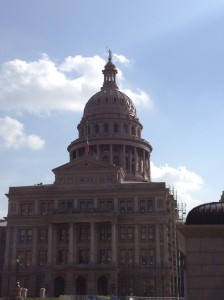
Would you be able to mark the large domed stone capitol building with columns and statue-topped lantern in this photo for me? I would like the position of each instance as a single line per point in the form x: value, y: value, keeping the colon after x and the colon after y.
x: 103, y: 227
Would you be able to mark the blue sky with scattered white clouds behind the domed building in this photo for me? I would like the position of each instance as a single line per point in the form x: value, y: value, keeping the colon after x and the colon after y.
x: 170, y: 60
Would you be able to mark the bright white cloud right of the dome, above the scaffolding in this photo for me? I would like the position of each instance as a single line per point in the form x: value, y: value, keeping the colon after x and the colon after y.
x: 183, y: 181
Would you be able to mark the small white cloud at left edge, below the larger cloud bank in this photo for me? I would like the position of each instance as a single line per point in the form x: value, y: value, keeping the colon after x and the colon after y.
x: 13, y: 135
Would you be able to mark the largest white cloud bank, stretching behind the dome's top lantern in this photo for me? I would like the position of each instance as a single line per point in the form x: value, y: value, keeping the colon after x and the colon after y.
x: 44, y: 85
